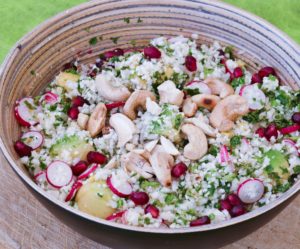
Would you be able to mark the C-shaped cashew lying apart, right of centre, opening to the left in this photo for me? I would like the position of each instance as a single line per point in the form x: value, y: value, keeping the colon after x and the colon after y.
x: 197, y: 146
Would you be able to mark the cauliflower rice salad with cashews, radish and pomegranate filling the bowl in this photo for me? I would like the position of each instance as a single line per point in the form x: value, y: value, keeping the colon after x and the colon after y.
x: 171, y: 135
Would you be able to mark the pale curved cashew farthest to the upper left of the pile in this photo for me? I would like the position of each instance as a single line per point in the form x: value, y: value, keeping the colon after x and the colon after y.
x: 106, y: 87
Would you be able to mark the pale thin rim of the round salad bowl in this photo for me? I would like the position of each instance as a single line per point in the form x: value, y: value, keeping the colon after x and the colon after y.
x: 292, y: 191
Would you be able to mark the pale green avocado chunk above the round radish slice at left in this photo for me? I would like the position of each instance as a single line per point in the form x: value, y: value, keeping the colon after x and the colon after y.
x: 70, y: 147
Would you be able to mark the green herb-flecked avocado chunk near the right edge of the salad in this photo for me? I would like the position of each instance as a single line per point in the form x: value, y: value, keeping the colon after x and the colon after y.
x: 278, y: 169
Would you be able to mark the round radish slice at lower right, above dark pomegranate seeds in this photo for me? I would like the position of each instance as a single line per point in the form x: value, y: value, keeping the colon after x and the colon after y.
x: 251, y: 190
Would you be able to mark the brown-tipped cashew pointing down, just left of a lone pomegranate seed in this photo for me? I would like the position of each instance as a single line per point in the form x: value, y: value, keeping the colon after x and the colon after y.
x: 161, y: 163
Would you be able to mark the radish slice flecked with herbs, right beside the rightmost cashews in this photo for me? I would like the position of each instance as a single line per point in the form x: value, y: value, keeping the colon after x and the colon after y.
x: 255, y: 97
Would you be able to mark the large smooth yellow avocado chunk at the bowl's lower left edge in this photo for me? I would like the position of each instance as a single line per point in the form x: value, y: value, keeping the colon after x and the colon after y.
x: 93, y: 198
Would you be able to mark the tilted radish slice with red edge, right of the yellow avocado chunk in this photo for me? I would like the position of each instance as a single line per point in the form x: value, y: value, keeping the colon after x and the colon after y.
x: 119, y: 187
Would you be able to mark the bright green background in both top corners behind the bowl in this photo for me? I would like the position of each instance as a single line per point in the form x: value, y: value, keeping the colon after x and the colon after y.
x: 17, y: 17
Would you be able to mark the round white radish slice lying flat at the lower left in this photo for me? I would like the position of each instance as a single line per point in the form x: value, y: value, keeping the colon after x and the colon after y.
x: 59, y: 174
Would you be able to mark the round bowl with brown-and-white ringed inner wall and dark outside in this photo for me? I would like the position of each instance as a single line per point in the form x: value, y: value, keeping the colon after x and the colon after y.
x: 41, y: 54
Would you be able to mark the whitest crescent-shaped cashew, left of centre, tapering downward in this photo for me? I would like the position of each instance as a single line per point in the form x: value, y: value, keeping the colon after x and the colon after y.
x: 124, y: 128
